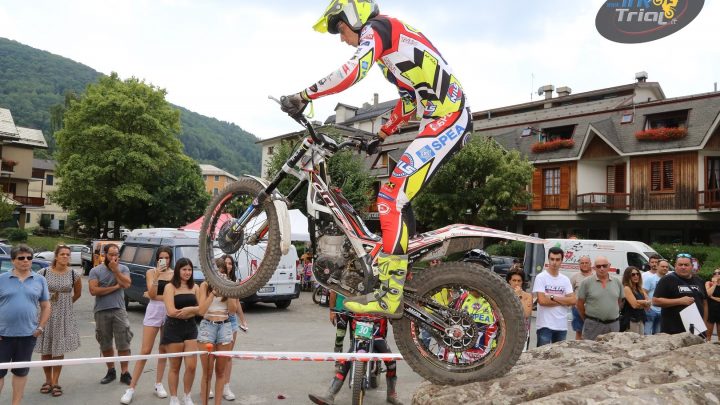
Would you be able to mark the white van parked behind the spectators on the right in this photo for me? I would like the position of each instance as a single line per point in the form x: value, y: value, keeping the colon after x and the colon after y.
x: 620, y: 253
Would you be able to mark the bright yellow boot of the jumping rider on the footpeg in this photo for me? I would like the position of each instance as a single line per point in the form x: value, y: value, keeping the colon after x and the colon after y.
x: 386, y: 300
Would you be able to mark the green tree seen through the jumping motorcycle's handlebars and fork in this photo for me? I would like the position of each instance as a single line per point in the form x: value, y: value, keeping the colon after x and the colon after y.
x: 346, y: 170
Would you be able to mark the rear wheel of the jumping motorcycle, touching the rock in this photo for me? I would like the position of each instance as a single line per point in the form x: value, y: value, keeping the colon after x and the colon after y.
x: 485, y: 328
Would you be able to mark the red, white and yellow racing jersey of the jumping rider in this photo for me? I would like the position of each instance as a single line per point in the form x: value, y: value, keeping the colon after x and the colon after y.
x: 425, y: 82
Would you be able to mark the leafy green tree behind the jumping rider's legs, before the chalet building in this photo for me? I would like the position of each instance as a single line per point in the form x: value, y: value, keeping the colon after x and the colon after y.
x: 481, y: 183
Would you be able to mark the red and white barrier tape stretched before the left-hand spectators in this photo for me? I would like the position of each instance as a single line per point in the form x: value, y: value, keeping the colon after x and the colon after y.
x: 242, y: 355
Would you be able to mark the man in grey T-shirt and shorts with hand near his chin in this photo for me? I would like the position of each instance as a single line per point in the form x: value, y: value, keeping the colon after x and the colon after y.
x: 107, y: 282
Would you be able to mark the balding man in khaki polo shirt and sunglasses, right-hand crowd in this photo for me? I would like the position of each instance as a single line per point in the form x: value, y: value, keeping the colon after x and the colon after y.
x: 599, y: 301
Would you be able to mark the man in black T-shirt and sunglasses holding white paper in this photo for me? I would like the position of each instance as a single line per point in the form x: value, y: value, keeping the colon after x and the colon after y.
x: 675, y: 292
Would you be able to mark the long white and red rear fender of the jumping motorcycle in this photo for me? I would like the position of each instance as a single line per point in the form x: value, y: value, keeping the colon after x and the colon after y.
x: 457, y: 238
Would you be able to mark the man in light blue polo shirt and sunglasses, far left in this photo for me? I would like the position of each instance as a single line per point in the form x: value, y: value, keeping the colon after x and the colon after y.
x: 21, y: 293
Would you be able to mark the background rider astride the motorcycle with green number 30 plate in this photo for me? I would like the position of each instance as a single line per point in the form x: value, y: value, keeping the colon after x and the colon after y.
x: 379, y: 346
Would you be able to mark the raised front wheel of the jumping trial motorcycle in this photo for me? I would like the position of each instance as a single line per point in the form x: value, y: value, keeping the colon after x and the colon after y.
x: 254, y: 248
